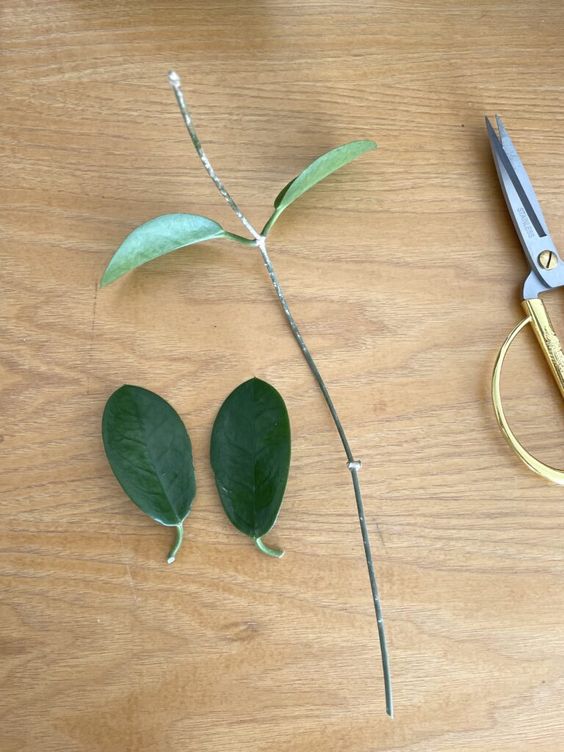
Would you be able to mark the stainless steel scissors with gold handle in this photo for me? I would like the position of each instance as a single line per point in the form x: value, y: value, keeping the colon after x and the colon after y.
x: 547, y: 273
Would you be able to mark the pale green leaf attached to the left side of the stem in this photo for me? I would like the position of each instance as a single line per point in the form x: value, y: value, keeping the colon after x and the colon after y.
x: 158, y: 237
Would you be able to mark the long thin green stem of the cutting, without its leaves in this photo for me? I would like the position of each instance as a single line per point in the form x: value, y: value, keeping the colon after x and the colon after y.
x: 352, y: 463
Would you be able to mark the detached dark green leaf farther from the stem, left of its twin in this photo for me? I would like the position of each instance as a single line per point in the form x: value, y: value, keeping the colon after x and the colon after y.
x: 150, y: 452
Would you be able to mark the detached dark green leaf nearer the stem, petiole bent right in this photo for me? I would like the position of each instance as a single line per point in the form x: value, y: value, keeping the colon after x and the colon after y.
x: 250, y: 457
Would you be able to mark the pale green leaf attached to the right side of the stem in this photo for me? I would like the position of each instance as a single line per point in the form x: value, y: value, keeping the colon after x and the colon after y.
x: 314, y: 173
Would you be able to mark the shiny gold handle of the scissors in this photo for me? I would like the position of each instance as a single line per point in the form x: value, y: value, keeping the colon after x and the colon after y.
x: 537, y: 316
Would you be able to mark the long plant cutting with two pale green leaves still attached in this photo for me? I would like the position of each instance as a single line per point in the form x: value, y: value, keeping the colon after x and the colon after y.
x: 170, y: 232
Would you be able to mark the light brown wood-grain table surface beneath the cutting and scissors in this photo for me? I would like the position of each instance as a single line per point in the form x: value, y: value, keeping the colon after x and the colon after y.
x: 405, y: 272
